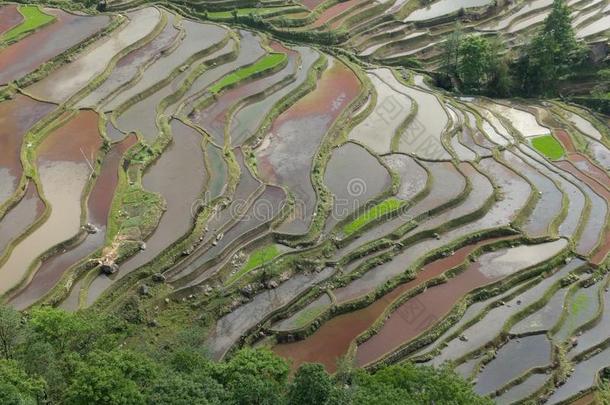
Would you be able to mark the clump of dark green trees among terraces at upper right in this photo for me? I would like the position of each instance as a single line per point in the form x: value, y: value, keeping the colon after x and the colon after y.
x: 480, y: 64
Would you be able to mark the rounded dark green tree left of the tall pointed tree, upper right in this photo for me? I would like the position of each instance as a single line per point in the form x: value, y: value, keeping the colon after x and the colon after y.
x: 475, y: 62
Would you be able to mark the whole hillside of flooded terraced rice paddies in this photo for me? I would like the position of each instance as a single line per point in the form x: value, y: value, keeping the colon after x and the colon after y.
x: 325, y: 206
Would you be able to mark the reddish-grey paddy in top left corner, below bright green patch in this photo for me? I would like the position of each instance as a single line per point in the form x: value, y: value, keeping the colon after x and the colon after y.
x: 26, y: 55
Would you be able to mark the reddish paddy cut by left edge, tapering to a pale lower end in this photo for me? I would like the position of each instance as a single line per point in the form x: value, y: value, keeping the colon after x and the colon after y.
x: 17, y: 116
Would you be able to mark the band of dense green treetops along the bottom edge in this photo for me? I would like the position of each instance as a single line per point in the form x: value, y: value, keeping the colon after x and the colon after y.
x: 50, y: 356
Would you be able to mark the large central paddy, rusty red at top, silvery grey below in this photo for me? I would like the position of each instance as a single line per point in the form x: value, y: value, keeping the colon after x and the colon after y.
x: 302, y: 127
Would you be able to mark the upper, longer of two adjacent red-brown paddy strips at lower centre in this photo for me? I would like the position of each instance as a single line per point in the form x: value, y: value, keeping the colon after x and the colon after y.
x: 334, y: 337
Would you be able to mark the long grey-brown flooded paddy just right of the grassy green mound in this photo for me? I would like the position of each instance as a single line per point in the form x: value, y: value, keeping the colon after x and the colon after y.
x: 179, y: 175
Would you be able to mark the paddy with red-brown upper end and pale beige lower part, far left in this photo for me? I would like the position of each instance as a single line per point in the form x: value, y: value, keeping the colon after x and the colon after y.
x: 64, y: 168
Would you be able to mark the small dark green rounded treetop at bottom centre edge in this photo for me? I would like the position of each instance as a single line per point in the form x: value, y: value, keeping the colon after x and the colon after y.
x: 312, y: 386
